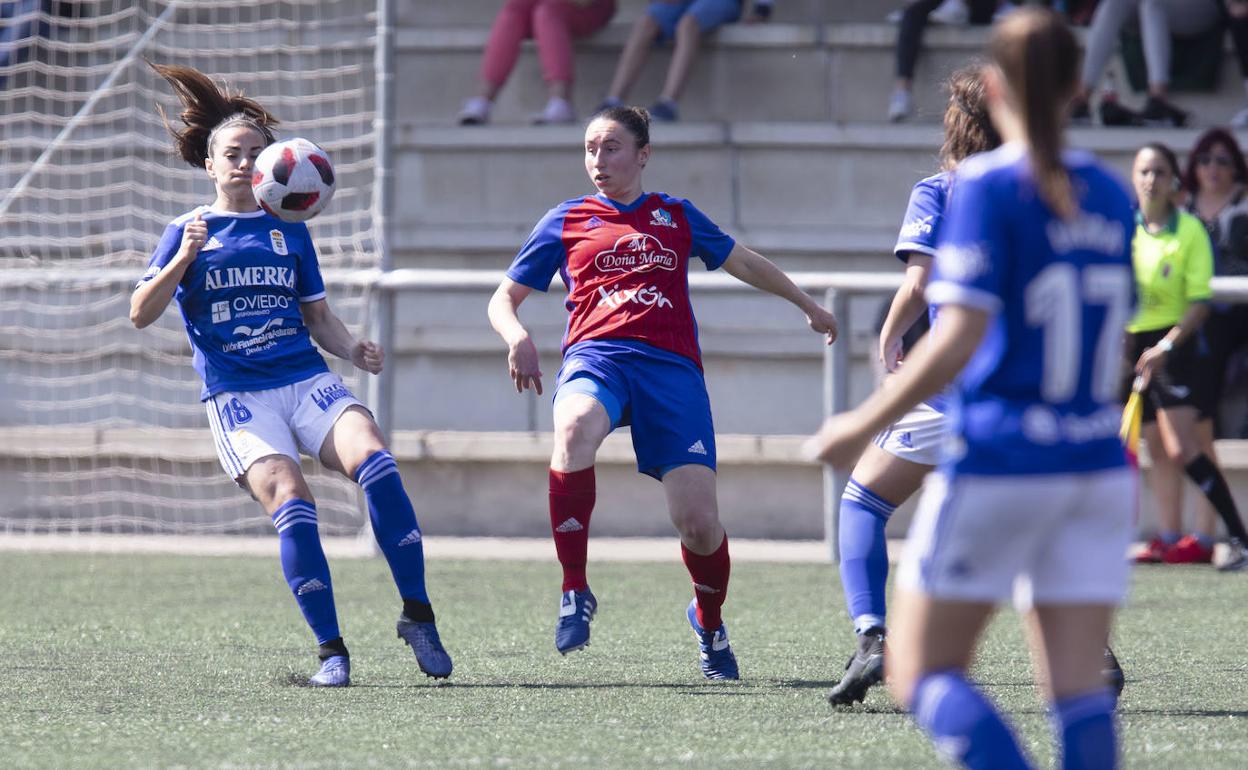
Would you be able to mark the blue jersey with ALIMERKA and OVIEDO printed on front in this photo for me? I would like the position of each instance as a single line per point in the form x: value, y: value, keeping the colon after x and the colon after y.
x: 240, y: 300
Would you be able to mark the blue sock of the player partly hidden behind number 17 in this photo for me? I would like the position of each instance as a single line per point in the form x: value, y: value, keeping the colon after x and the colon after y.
x: 864, y: 555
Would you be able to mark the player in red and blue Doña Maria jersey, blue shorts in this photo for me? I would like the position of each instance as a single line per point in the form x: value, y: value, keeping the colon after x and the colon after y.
x: 632, y: 359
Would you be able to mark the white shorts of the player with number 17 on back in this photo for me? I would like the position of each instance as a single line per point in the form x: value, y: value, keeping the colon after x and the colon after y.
x: 1048, y: 540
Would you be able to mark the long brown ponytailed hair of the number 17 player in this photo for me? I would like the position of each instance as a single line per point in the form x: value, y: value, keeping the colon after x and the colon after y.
x: 1039, y: 58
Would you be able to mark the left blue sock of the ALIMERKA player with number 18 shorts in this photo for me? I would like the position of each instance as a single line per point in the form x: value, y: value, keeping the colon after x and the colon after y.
x: 306, y: 571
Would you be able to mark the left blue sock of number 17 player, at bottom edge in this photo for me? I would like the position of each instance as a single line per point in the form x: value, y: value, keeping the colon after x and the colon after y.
x: 964, y: 726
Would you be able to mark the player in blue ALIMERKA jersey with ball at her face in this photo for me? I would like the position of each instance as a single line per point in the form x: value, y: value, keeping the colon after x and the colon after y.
x: 253, y: 303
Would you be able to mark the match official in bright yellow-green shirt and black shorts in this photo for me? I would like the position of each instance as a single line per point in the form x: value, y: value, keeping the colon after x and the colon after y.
x: 1174, y: 260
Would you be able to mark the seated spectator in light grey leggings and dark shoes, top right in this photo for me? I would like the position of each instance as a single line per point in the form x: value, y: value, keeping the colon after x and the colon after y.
x: 1159, y: 22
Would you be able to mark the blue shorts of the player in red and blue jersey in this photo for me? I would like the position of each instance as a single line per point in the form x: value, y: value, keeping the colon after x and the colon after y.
x: 661, y: 395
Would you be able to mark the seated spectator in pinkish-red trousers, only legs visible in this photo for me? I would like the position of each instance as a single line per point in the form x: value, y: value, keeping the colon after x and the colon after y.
x: 552, y: 24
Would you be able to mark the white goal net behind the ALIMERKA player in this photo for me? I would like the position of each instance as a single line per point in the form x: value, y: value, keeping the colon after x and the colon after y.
x: 102, y: 429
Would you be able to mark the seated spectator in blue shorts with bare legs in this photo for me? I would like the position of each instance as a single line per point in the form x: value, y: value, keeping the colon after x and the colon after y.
x: 685, y: 22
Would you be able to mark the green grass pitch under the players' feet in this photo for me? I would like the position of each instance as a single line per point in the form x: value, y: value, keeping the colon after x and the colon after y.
x: 180, y: 662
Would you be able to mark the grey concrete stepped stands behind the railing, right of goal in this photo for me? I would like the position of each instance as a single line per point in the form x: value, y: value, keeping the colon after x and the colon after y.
x: 783, y: 144
